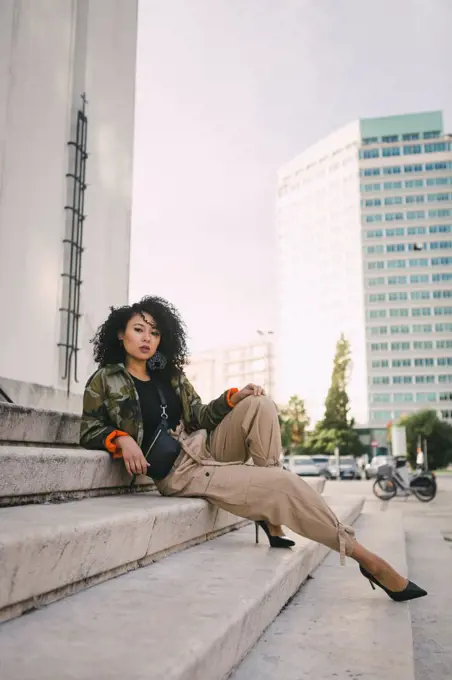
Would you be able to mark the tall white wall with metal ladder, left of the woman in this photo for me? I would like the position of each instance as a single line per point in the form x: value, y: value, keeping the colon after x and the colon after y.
x: 62, y: 247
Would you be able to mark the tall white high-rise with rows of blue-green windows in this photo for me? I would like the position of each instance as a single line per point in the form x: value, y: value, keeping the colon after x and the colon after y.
x: 364, y: 221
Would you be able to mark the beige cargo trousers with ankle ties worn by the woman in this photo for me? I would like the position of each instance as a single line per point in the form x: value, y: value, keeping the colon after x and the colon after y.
x: 214, y: 468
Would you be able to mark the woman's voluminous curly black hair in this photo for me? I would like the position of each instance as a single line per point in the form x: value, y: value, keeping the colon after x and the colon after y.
x: 173, y: 342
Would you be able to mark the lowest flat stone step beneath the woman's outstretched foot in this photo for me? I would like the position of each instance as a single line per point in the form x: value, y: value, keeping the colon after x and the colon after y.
x: 336, y: 626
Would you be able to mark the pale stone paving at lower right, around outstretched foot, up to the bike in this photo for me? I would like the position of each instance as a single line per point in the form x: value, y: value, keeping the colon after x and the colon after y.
x: 337, y: 628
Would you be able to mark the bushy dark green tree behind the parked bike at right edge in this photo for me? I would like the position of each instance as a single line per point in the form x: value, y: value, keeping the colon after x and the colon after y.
x: 438, y: 434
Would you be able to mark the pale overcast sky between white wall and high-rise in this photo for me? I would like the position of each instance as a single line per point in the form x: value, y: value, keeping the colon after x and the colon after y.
x: 229, y: 90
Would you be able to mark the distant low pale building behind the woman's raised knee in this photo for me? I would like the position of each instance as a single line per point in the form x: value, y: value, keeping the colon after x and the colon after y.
x: 214, y: 371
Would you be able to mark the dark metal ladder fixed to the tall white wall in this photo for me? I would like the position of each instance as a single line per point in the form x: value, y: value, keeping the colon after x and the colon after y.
x: 74, y: 244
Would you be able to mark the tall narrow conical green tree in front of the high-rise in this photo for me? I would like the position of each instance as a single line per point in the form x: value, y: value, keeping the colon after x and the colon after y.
x: 336, y: 429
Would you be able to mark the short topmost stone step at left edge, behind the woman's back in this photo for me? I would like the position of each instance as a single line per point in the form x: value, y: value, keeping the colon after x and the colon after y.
x: 38, y: 426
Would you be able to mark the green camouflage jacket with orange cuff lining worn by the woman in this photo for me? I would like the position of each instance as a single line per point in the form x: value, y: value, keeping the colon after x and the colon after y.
x: 111, y: 404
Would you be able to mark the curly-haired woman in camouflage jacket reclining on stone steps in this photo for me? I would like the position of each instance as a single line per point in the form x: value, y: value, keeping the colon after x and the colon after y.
x: 141, y: 351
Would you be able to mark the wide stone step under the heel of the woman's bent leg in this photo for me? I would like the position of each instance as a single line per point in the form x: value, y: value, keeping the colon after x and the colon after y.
x: 192, y: 616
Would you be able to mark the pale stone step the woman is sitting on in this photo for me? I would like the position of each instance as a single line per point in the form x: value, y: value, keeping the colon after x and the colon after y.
x: 49, y: 551
